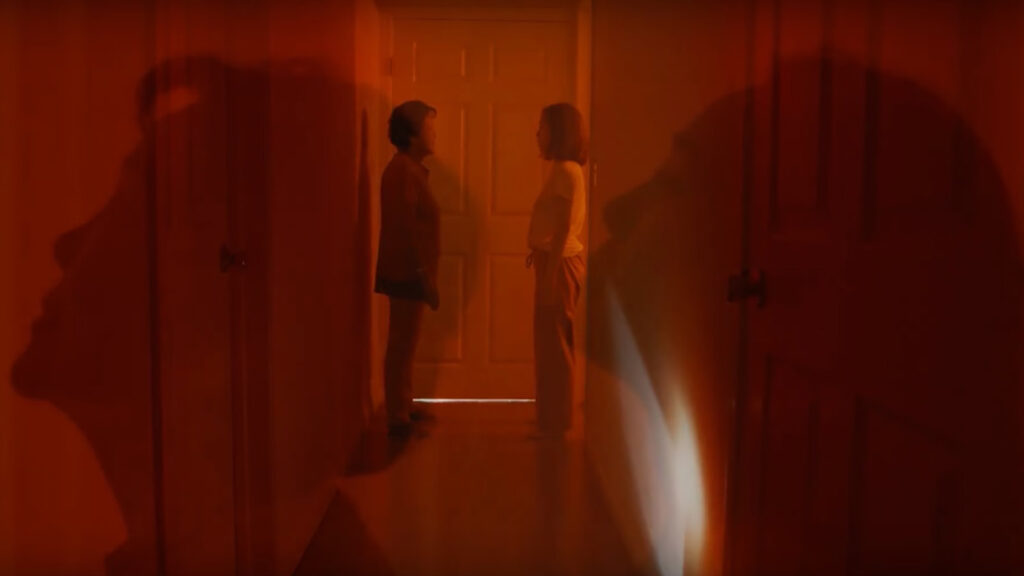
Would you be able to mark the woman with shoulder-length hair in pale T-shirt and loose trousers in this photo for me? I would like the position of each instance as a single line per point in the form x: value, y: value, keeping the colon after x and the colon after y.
x: 557, y: 255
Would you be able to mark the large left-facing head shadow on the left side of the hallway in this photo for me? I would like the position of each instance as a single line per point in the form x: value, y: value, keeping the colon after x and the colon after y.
x: 136, y: 343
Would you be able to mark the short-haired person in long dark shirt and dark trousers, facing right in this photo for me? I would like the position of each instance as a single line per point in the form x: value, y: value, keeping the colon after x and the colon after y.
x: 409, y: 254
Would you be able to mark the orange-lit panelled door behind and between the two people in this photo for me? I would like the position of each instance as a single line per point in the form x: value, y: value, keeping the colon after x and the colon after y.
x: 489, y: 81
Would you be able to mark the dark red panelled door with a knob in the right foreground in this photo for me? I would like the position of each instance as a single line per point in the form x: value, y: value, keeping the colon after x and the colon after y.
x: 882, y: 417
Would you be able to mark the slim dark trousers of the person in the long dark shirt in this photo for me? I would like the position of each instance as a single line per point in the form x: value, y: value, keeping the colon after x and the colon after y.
x: 405, y: 320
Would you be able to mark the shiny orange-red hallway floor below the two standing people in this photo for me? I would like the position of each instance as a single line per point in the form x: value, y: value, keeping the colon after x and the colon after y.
x: 475, y: 496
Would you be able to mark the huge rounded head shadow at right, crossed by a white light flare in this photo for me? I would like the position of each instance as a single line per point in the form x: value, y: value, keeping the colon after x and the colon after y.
x: 907, y: 296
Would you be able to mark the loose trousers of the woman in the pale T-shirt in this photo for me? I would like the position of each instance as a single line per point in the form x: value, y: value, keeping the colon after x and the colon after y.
x: 554, y: 346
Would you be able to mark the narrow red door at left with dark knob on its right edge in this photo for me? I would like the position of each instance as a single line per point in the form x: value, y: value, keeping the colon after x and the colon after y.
x: 192, y: 182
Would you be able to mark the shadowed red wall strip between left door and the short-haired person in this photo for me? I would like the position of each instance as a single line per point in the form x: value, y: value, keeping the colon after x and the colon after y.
x: 315, y: 337
